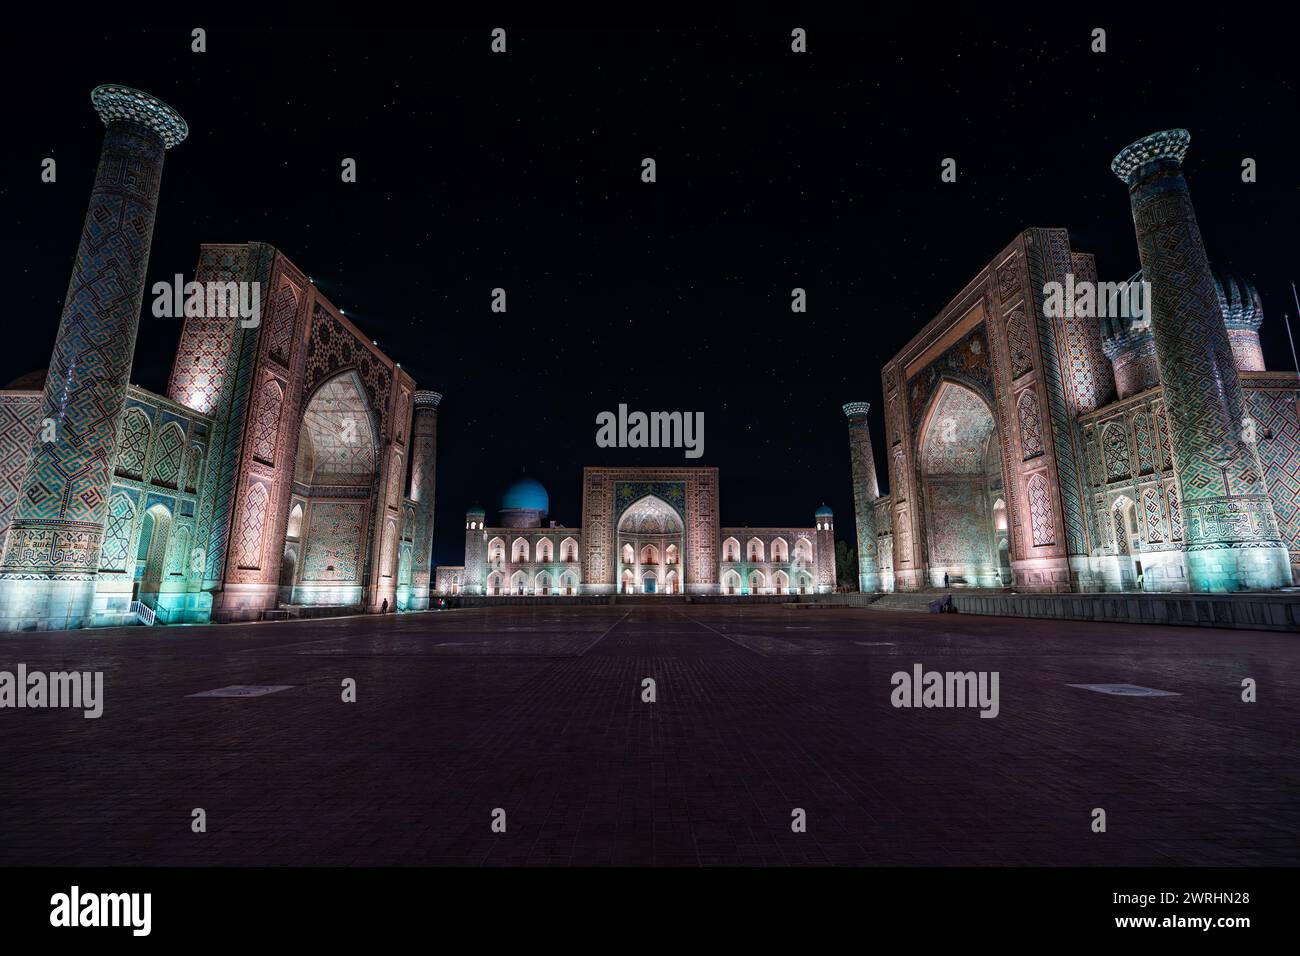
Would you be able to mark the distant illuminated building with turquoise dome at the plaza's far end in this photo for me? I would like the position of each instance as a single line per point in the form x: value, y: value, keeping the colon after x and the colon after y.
x: 645, y: 531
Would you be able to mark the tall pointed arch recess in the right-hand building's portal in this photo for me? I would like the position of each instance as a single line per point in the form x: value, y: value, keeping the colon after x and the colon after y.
x: 961, y: 475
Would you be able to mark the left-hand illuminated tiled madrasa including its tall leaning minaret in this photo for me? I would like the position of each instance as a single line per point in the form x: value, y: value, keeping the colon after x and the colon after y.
x: 276, y: 474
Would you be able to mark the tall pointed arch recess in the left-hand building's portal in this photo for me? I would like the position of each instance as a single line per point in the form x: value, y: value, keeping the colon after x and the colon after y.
x: 335, y: 487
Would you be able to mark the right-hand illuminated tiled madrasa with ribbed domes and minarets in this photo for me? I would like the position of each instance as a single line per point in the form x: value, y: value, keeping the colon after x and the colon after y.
x: 1068, y: 453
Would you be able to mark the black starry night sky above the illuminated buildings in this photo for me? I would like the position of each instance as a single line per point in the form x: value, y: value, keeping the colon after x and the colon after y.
x: 523, y: 171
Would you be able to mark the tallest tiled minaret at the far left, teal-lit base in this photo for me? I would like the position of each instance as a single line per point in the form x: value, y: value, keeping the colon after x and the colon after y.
x: 51, y: 555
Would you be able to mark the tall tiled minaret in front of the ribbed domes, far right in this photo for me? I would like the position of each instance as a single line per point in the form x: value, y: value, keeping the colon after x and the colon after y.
x: 1232, y: 534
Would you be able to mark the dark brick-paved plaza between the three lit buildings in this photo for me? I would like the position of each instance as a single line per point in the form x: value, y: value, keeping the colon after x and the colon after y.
x: 760, y: 711
